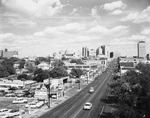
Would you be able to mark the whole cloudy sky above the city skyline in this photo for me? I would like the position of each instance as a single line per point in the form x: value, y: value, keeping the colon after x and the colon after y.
x: 41, y: 27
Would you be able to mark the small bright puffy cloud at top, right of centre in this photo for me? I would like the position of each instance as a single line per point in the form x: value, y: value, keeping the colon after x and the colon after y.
x: 114, y: 5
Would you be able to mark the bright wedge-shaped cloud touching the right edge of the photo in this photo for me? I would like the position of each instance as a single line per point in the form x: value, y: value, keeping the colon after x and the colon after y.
x: 138, y: 17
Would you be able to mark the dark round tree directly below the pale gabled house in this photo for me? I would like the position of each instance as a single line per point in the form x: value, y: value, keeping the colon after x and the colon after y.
x: 40, y: 75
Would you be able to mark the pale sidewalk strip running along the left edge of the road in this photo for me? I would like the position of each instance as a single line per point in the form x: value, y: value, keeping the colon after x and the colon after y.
x: 68, y: 93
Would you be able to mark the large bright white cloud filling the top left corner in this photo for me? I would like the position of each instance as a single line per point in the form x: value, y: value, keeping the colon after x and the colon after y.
x: 36, y: 8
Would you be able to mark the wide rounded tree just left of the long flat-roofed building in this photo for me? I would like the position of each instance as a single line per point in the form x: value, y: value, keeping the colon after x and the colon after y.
x: 58, y: 72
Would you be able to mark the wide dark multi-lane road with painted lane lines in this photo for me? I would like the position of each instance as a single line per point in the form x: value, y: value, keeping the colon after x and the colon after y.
x: 73, y: 107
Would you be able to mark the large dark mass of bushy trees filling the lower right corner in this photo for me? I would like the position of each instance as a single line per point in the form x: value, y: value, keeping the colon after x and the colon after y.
x: 133, y: 93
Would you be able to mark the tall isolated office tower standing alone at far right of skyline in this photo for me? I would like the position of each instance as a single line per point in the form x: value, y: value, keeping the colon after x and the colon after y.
x: 141, y: 49
